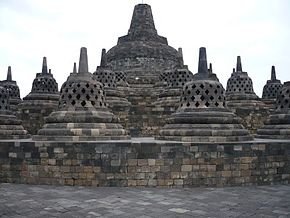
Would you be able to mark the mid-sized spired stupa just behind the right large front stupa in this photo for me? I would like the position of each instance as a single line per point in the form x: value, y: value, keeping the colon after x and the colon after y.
x: 242, y: 100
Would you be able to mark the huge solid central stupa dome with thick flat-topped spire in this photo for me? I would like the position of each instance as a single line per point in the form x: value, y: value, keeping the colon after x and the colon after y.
x: 142, y: 54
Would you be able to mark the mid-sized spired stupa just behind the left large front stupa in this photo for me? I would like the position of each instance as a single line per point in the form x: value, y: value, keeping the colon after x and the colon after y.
x: 40, y: 102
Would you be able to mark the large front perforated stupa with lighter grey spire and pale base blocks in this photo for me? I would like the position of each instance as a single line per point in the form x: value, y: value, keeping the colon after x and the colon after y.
x: 82, y: 113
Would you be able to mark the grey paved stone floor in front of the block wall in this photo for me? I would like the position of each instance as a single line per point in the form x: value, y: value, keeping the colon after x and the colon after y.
x: 61, y: 201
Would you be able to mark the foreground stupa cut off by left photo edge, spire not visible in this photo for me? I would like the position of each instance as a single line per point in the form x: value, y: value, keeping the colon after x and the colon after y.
x: 10, y: 126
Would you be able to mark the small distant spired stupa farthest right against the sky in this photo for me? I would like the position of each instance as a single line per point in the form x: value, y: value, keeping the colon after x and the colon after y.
x: 271, y: 90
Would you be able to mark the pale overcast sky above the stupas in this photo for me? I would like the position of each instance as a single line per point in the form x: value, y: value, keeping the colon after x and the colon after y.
x: 258, y: 30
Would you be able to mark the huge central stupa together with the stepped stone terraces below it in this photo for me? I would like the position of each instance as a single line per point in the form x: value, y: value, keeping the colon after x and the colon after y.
x: 142, y: 55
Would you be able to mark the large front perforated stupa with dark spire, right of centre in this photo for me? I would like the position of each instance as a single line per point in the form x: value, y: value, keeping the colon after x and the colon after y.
x: 202, y: 115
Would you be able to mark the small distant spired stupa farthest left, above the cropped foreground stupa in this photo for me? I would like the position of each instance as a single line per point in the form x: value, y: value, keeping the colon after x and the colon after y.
x: 14, y: 92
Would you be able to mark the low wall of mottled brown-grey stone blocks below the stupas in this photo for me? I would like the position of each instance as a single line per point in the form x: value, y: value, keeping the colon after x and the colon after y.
x: 144, y: 163
